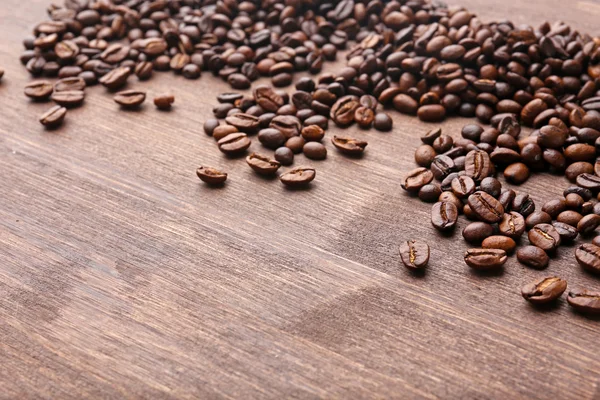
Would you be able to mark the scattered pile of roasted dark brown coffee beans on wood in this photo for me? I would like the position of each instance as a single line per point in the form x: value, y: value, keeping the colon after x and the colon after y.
x: 419, y: 57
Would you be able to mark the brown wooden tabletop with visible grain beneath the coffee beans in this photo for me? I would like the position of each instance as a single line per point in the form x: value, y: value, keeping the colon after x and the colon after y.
x: 123, y: 276
